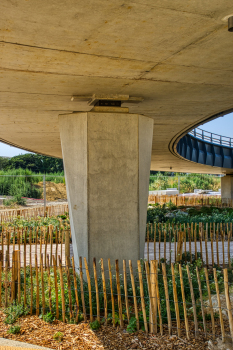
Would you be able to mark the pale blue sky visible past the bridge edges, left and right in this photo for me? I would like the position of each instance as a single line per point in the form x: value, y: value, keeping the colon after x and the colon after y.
x: 221, y: 126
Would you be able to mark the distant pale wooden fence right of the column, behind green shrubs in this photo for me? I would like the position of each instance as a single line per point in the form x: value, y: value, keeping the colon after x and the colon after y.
x: 194, y: 200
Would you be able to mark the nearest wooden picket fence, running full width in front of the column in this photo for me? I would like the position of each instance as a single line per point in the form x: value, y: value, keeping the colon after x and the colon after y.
x: 159, y: 303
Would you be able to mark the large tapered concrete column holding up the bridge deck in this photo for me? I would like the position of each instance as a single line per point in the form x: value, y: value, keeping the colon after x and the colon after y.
x: 107, y: 163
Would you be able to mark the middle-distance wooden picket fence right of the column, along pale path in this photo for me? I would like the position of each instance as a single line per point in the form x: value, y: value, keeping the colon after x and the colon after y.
x: 211, y: 242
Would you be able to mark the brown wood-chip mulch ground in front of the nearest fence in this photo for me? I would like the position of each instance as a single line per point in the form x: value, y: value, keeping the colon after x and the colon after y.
x: 35, y: 331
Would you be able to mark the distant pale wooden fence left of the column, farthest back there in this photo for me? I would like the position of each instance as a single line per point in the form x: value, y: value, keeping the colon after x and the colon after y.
x: 34, y: 212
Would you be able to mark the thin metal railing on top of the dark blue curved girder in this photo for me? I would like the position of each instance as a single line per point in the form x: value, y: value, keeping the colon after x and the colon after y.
x: 211, y: 137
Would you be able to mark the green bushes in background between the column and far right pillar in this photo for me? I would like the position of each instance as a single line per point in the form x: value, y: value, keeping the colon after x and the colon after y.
x: 188, y: 182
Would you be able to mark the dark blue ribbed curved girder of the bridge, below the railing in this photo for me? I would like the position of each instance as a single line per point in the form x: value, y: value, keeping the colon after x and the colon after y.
x: 196, y: 150
